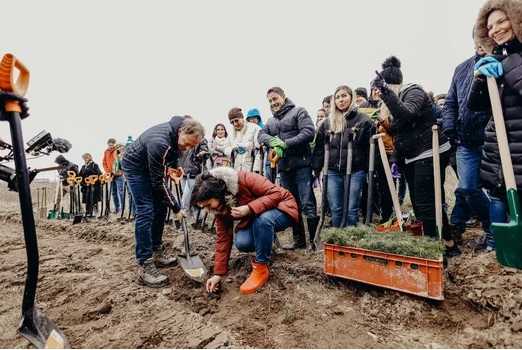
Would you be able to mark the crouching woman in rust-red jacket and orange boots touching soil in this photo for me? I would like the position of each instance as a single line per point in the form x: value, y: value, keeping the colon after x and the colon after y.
x: 262, y: 209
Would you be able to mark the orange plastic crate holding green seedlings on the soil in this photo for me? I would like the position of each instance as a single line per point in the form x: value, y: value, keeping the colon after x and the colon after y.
x: 422, y: 277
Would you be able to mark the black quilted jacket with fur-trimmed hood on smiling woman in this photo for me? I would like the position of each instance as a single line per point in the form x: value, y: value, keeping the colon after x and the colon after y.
x: 510, y: 90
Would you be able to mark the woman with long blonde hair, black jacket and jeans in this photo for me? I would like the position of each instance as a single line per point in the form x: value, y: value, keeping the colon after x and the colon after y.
x: 344, y: 123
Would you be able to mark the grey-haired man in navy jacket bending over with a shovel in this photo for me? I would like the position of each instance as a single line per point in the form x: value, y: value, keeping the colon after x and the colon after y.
x: 145, y: 163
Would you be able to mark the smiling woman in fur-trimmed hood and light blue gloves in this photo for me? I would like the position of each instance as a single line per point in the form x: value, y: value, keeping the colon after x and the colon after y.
x: 498, y: 30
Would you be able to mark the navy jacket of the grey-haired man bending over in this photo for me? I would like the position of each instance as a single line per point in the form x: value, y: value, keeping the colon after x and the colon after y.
x: 152, y: 153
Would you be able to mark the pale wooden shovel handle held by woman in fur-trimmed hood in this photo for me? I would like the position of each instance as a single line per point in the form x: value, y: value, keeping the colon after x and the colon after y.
x: 502, y: 140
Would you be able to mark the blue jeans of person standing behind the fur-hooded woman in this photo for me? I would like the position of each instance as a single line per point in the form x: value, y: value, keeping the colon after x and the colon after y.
x: 469, y: 196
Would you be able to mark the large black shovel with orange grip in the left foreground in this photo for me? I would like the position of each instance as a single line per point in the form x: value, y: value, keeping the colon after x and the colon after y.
x: 34, y: 325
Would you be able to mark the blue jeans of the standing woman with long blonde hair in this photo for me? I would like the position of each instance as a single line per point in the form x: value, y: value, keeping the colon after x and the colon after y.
x: 335, y: 194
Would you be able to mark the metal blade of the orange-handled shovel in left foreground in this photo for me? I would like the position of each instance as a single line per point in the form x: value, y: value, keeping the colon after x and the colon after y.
x: 42, y: 332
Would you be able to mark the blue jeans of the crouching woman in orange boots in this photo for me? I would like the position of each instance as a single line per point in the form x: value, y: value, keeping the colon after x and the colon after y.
x: 259, y: 236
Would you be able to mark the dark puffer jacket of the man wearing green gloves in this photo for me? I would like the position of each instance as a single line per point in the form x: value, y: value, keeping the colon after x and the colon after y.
x: 294, y: 126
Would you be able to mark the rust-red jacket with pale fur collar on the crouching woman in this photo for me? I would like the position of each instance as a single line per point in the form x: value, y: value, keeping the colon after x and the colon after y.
x: 259, y: 194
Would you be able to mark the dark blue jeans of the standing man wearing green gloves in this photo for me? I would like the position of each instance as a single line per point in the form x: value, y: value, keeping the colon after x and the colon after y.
x: 299, y: 183
